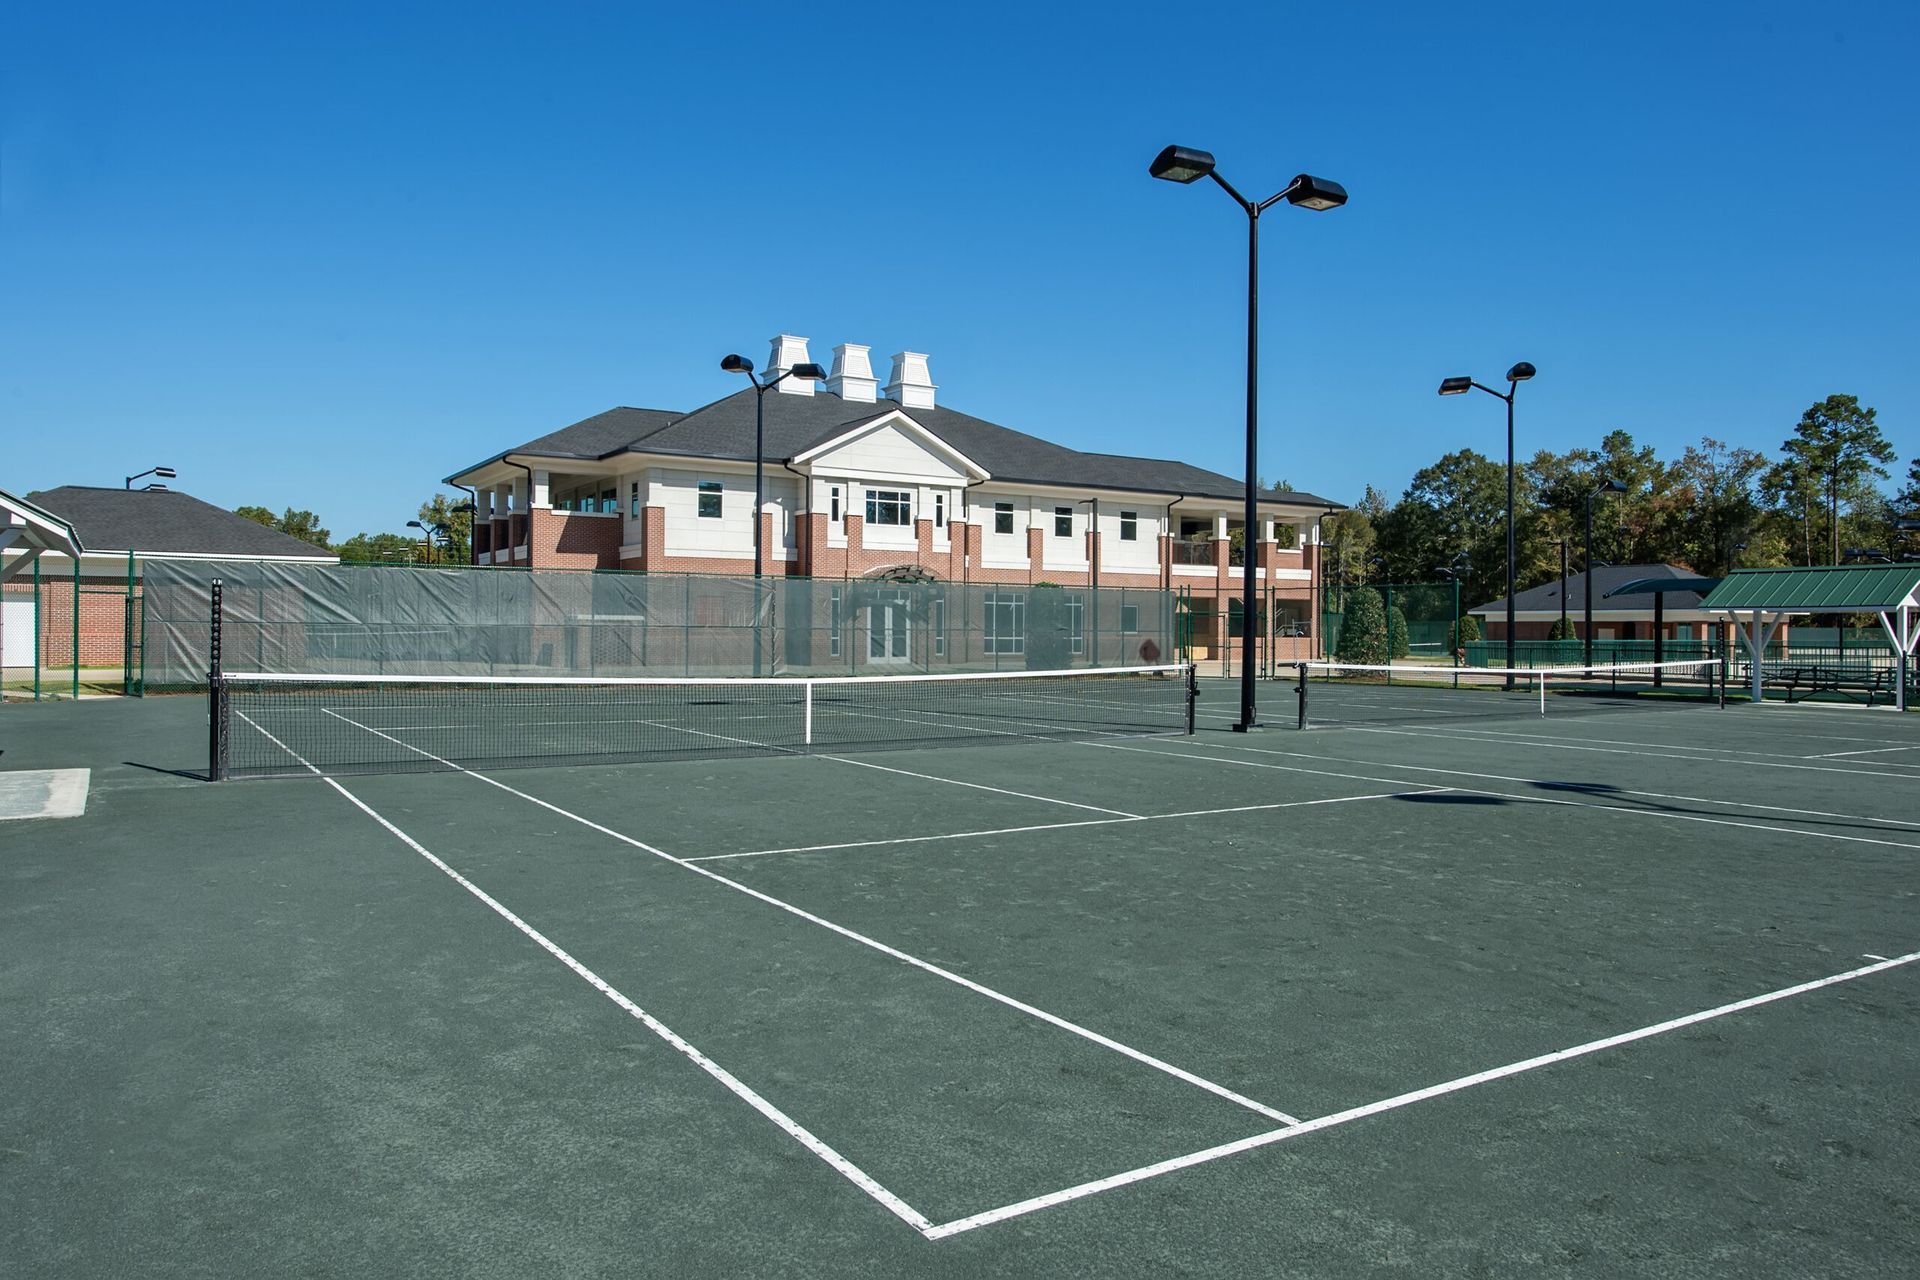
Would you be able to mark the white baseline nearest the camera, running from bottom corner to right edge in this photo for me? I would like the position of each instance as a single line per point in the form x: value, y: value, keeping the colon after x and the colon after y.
x: 1391, y: 1104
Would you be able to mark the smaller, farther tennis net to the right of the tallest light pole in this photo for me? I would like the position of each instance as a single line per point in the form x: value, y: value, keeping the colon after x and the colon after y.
x: 1347, y: 694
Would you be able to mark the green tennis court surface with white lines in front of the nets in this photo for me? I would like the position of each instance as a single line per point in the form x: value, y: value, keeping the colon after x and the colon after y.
x: 1606, y: 995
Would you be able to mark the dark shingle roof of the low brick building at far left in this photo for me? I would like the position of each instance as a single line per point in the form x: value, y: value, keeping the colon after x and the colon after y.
x: 164, y: 521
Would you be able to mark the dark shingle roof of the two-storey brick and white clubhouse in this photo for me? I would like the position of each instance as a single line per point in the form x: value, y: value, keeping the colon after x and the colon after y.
x: 800, y: 423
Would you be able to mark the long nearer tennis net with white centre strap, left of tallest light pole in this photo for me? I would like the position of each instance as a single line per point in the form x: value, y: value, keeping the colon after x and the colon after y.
x: 272, y: 724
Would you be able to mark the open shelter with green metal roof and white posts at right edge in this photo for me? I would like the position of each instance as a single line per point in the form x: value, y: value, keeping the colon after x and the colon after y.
x: 1760, y: 600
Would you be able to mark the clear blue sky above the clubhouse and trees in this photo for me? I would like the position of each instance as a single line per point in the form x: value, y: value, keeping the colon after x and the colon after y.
x: 322, y: 256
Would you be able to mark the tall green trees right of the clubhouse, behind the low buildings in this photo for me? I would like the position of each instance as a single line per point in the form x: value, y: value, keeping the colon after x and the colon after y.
x: 1716, y: 508
